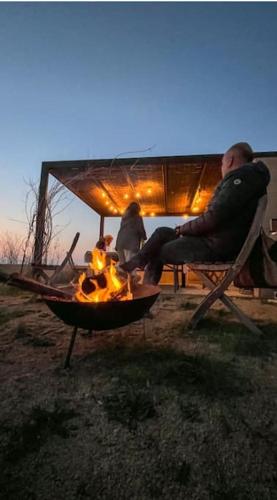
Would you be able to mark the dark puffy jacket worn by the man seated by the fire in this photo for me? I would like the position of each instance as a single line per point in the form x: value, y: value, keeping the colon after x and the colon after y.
x: 229, y: 215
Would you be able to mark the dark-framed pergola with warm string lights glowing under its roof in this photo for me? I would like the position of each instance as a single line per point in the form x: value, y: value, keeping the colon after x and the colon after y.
x: 164, y: 186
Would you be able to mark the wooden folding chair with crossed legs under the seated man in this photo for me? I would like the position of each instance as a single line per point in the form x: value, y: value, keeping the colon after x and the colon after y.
x: 218, y: 276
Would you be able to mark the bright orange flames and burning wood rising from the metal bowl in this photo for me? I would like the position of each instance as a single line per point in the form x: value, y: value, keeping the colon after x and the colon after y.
x: 101, y: 282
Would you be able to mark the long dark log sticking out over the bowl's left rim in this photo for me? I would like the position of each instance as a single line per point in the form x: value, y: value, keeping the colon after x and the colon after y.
x: 31, y: 285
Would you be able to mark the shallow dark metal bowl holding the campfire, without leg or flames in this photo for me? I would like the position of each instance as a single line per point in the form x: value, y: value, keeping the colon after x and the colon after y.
x: 104, y: 315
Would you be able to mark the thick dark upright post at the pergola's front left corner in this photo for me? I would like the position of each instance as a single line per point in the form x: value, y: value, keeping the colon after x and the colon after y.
x: 41, y: 209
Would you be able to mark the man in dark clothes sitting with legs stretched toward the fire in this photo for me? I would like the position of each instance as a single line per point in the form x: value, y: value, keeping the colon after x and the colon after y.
x: 219, y: 233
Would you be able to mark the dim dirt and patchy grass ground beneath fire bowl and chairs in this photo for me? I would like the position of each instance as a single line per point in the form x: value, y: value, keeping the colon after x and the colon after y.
x: 148, y: 411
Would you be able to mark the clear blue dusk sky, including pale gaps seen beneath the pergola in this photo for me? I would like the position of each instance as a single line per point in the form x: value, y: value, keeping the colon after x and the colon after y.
x: 92, y: 80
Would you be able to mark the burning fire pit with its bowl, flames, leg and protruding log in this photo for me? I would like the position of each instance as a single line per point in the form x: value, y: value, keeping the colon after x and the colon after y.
x: 102, y: 299
